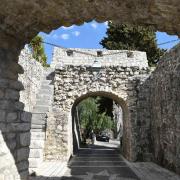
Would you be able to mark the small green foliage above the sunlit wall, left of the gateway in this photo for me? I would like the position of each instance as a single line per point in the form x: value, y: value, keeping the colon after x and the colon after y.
x: 38, y: 50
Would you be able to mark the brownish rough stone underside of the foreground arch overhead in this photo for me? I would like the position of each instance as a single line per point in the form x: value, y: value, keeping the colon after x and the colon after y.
x: 48, y: 15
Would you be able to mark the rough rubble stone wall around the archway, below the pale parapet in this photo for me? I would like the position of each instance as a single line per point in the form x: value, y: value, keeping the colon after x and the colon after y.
x: 75, y: 82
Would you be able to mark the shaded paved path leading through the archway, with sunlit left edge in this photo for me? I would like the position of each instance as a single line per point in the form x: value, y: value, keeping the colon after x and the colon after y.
x: 102, y: 161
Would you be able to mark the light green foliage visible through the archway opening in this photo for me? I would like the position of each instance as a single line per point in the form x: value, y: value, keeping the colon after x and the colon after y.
x: 91, y: 118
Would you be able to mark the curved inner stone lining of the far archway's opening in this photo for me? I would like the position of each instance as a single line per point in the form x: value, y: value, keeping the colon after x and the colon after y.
x: 125, y: 118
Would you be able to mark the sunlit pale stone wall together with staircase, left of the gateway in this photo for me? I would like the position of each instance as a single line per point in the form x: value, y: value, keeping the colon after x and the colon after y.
x: 37, y: 98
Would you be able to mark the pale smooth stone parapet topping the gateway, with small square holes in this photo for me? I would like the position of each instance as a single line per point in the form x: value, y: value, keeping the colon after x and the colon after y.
x: 109, y: 58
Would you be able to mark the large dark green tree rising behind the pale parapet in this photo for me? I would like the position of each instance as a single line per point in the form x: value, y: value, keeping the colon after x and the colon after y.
x: 128, y: 37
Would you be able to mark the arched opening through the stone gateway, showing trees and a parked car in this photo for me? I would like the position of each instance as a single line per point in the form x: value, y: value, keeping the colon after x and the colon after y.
x: 98, y: 122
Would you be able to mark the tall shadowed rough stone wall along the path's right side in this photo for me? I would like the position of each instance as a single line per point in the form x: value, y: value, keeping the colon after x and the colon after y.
x: 165, y: 110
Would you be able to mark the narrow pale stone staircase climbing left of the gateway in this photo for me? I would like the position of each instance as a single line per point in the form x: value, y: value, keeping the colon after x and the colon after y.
x: 39, y: 120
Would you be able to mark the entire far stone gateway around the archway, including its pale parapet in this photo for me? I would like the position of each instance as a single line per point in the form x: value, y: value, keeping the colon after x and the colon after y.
x: 79, y: 75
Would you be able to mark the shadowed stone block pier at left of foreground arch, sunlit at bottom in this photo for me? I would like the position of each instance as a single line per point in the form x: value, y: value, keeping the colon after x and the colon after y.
x: 14, y: 122
